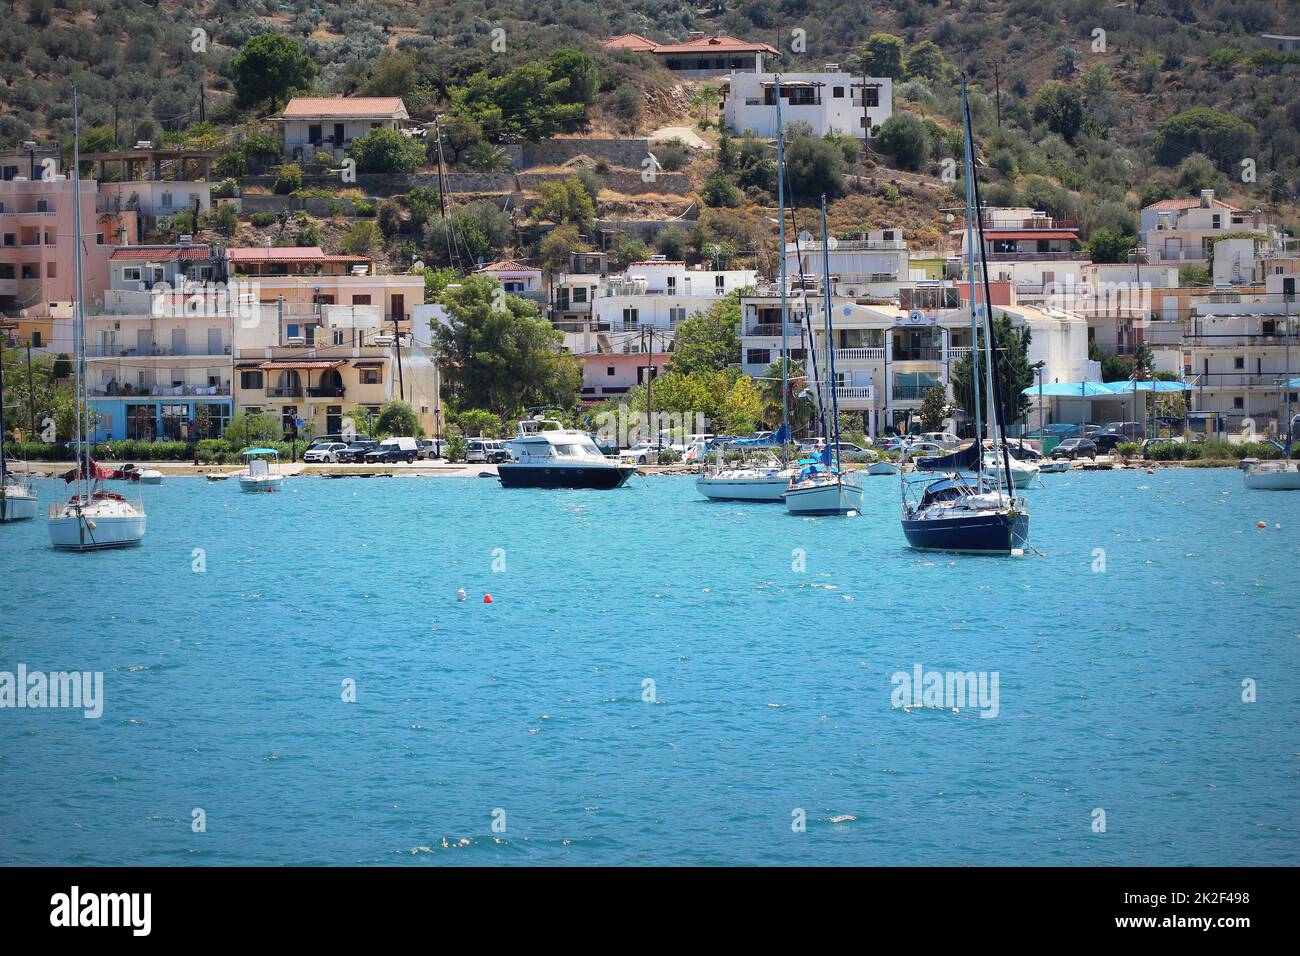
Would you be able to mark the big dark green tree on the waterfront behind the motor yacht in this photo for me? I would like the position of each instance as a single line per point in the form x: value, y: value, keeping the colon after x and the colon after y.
x: 502, y: 361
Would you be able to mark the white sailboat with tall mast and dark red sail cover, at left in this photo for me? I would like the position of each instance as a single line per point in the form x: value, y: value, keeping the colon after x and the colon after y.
x: 92, y: 520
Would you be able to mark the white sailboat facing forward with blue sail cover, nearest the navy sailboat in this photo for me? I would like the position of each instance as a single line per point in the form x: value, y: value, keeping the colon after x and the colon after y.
x: 822, y: 487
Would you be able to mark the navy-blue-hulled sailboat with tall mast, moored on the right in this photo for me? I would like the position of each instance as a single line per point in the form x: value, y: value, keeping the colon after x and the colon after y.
x: 969, y: 511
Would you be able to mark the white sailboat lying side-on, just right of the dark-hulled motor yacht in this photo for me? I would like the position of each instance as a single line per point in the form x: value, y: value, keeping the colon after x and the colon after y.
x: 768, y: 478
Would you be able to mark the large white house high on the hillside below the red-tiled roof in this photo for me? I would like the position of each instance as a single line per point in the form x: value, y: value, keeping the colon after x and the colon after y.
x: 830, y: 102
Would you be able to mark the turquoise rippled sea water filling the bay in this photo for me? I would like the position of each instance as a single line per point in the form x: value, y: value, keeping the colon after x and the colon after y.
x: 770, y: 641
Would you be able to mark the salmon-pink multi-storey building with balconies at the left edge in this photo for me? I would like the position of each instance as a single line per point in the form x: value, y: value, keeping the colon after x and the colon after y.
x: 37, y: 249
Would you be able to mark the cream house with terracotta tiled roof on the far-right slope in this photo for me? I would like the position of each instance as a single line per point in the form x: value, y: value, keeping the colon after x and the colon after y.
x: 1182, y: 232
